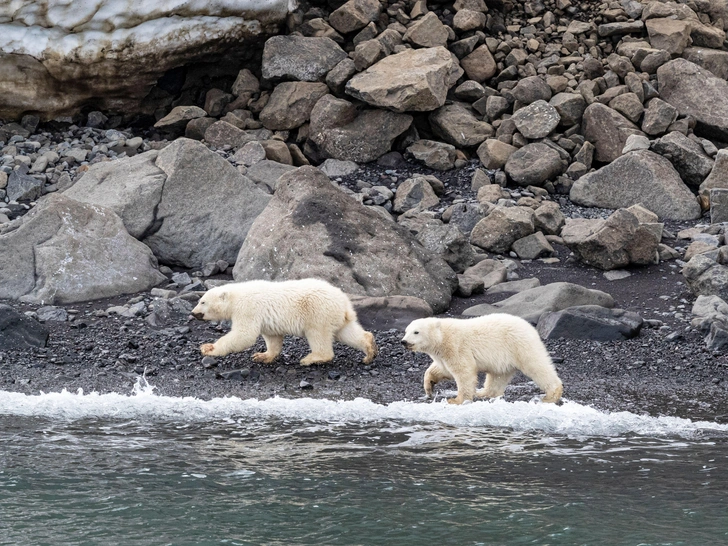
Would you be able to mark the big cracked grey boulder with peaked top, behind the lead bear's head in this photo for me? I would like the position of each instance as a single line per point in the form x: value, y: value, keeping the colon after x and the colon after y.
x: 170, y: 200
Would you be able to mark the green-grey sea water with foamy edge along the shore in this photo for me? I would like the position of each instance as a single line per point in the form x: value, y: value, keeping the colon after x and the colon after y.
x: 144, y: 469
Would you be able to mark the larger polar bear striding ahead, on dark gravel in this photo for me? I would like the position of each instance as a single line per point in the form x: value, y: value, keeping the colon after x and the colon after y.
x: 309, y: 308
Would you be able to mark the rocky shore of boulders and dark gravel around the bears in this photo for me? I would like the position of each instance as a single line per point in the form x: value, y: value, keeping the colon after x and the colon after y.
x: 565, y: 163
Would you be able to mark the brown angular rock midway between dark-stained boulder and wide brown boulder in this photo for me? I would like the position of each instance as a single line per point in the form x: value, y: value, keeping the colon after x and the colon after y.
x: 502, y: 227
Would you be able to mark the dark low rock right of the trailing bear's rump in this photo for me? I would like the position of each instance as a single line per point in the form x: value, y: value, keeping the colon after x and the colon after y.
x: 590, y: 322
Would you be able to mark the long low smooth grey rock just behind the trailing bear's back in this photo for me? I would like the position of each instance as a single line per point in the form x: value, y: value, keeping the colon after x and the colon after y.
x: 531, y: 304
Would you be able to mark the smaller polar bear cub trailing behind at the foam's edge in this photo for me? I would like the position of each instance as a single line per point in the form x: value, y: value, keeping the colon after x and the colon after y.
x: 497, y: 344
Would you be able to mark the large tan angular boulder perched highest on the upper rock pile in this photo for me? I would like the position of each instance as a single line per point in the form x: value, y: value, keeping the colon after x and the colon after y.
x: 413, y: 80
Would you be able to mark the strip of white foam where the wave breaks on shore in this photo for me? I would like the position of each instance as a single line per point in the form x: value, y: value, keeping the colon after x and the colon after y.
x: 570, y: 419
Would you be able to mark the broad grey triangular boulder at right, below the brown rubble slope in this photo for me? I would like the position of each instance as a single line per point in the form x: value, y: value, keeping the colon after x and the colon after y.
x: 638, y: 177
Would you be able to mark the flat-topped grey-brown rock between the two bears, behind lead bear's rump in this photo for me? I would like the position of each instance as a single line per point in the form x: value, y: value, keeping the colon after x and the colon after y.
x: 386, y: 312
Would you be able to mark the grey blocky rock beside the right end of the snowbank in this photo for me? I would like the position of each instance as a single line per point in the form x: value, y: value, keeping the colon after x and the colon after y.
x: 300, y: 58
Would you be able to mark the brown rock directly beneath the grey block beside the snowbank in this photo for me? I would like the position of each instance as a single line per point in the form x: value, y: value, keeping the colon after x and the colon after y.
x: 290, y: 105
